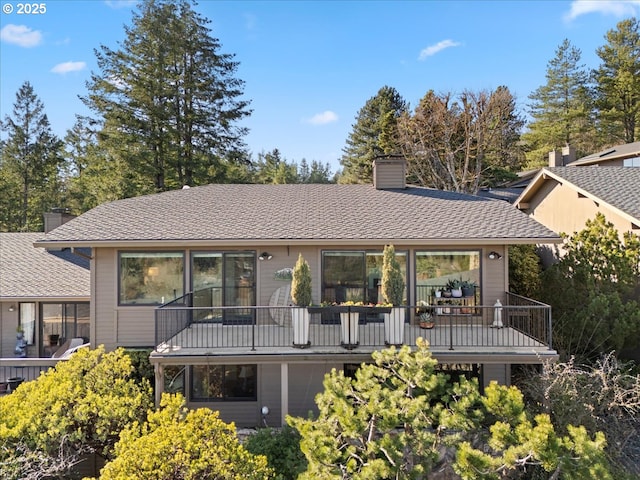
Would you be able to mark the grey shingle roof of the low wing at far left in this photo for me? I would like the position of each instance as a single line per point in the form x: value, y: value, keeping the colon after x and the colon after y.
x: 30, y: 272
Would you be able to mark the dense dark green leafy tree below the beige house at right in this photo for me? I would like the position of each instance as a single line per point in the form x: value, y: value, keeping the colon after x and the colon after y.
x: 594, y: 290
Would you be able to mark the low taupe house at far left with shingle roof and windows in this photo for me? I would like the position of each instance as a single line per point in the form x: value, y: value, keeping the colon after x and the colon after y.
x: 47, y: 295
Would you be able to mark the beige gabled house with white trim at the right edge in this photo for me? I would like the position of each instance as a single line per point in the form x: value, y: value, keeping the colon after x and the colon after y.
x: 564, y: 198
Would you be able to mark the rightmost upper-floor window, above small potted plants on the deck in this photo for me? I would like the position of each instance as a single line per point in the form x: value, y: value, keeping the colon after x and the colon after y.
x: 435, y: 268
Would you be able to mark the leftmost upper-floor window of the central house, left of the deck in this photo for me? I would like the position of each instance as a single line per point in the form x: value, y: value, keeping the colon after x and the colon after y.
x: 150, y: 278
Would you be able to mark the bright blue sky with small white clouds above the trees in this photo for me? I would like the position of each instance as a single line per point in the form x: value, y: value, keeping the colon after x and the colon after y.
x: 310, y: 66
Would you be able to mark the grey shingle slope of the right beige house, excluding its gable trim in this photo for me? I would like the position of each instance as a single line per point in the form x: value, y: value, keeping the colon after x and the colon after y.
x: 617, y: 186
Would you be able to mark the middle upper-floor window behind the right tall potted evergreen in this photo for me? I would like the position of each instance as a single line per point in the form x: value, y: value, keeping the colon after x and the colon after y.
x: 355, y: 276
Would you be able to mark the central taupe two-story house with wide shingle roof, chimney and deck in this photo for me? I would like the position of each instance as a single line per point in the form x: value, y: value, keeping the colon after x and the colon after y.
x: 194, y: 274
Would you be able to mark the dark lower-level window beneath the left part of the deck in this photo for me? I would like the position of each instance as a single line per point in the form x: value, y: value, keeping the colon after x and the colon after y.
x: 210, y: 383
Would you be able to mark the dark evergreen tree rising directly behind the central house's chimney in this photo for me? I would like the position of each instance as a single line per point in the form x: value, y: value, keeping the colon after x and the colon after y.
x: 372, y: 135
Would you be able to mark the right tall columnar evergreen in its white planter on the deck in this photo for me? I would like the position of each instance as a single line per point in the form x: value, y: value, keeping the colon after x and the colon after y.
x: 393, y: 292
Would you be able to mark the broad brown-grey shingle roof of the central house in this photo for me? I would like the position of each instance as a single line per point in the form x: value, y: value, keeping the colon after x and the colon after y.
x: 302, y: 213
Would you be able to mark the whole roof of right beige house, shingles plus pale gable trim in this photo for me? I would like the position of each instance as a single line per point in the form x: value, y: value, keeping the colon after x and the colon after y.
x: 618, y: 187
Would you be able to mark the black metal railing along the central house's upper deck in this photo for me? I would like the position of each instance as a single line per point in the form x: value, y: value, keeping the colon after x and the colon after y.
x: 522, y: 323
